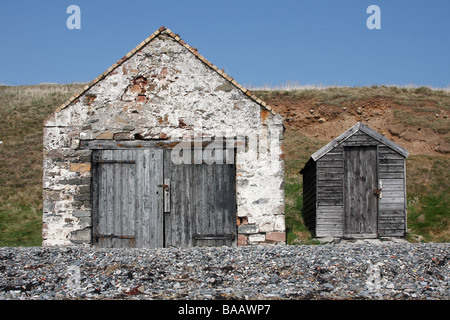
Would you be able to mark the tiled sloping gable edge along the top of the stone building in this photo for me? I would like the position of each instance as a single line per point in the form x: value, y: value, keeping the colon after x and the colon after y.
x: 167, y: 32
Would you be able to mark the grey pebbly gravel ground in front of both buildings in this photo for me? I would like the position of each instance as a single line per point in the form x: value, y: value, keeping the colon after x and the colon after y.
x: 332, y: 271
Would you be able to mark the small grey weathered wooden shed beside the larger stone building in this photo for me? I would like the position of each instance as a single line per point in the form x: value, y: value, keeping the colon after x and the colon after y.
x: 355, y: 187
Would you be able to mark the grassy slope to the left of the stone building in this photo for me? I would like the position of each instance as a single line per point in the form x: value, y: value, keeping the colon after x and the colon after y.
x: 23, y: 110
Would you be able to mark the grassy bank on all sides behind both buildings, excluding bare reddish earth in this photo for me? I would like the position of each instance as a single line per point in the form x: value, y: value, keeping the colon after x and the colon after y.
x: 23, y: 110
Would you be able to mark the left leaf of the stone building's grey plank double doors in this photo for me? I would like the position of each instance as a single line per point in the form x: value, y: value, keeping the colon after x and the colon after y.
x: 126, y: 199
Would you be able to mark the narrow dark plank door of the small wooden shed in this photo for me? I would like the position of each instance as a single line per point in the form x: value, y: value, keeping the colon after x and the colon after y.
x: 360, y: 201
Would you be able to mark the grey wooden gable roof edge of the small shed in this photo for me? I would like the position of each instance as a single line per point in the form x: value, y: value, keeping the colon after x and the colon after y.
x: 350, y: 132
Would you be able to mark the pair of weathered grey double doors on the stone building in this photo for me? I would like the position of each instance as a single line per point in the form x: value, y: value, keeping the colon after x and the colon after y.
x: 142, y: 199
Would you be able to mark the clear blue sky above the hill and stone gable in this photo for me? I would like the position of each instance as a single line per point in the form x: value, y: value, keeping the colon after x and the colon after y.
x: 258, y: 42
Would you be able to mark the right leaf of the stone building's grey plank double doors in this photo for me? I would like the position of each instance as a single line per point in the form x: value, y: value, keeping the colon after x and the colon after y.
x: 202, y: 204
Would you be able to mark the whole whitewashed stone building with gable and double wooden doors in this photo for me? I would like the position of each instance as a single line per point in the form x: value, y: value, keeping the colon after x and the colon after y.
x: 163, y: 149
